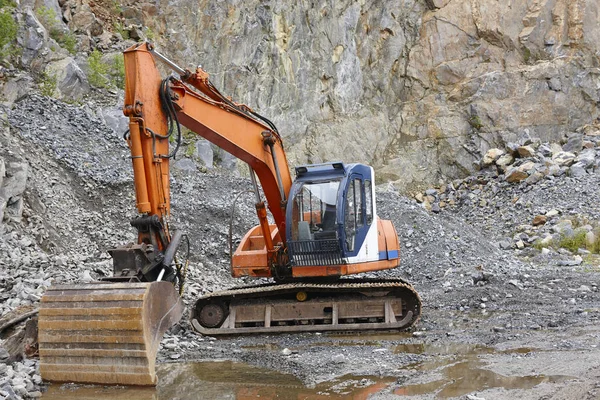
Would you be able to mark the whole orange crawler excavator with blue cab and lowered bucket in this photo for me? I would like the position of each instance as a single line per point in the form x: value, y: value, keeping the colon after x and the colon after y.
x: 324, y: 227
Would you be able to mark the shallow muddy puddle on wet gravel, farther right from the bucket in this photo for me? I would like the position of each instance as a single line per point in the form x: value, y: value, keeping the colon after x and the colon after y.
x: 463, y: 371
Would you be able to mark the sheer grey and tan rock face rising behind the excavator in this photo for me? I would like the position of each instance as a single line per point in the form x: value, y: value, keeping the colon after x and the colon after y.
x: 418, y: 89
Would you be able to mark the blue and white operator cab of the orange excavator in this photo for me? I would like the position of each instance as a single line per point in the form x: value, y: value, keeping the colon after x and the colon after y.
x: 330, y: 214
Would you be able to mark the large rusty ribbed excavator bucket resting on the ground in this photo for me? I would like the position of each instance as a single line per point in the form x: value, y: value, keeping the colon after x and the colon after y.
x: 105, y: 333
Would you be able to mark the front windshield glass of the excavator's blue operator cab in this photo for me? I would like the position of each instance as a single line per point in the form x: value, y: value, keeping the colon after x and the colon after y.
x: 314, y: 211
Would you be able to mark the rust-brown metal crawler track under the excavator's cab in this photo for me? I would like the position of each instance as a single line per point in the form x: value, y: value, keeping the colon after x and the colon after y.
x: 347, y: 305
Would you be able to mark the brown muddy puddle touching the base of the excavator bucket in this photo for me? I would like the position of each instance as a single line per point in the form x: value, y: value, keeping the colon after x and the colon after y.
x: 225, y: 380
